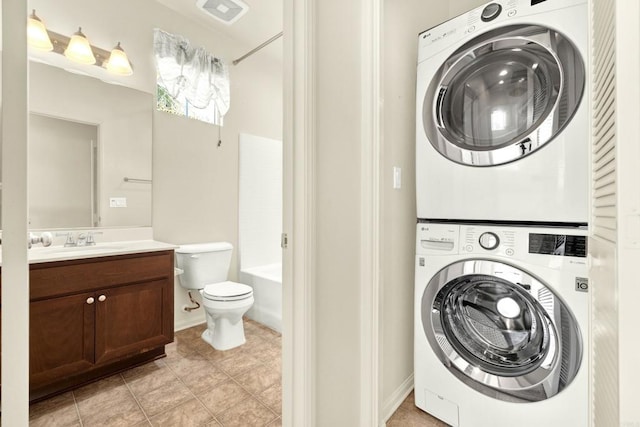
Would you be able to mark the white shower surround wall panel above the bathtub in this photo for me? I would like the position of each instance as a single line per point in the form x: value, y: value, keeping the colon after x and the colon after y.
x: 260, y: 201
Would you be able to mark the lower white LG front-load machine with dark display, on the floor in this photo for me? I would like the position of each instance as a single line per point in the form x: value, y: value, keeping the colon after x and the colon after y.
x: 501, y: 325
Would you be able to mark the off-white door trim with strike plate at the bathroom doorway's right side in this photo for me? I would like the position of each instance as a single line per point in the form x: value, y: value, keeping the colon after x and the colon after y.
x: 298, y: 337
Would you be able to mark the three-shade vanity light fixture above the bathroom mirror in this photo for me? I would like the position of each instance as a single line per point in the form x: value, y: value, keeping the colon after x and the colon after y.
x: 77, y: 48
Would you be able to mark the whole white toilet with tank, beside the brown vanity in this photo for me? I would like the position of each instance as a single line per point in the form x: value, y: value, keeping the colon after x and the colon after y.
x: 204, y: 268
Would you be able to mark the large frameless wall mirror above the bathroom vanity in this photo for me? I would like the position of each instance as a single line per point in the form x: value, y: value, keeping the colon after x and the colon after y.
x: 90, y: 152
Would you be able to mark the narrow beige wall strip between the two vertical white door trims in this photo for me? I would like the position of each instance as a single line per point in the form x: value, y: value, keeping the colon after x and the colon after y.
x: 337, y: 212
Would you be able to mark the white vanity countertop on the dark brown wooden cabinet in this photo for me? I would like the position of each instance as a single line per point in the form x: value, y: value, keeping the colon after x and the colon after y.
x: 39, y: 254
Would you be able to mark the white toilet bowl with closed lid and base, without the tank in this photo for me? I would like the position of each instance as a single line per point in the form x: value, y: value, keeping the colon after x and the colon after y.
x: 225, y: 303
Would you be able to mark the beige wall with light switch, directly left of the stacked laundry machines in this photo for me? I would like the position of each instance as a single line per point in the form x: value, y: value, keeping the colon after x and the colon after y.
x: 402, y: 23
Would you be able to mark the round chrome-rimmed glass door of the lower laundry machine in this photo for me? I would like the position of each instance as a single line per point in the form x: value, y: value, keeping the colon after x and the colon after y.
x: 501, y: 331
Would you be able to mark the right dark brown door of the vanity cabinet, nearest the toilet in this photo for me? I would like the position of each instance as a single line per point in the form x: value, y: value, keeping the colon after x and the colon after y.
x: 133, y: 319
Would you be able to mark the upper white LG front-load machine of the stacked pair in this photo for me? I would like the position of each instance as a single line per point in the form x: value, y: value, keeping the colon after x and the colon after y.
x: 502, y: 127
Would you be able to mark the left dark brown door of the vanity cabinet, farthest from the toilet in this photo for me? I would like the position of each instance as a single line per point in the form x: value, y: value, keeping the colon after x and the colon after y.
x: 61, y: 337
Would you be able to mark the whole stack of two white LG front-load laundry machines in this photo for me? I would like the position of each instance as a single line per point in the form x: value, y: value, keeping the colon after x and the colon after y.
x: 501, y: 291
